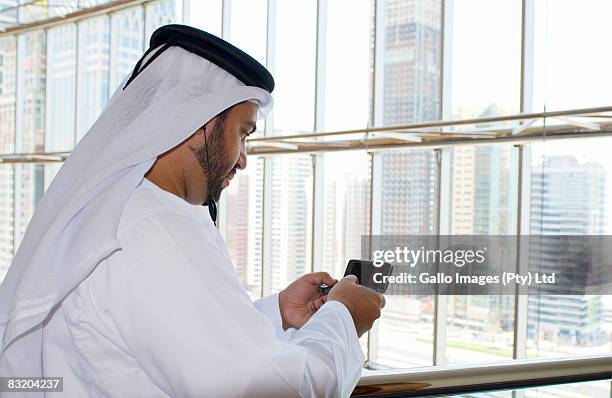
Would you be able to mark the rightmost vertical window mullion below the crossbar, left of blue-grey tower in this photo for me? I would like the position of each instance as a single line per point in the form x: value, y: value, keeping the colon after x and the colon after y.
x: 521, y: 299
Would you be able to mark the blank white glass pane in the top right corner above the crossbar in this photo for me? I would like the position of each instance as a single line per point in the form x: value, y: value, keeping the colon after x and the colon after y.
x: 563, y: 78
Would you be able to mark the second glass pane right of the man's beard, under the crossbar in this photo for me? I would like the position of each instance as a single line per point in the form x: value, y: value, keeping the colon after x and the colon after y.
x: 291, y: 201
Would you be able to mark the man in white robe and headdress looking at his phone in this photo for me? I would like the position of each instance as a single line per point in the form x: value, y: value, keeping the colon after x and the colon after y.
x: 123, y: 289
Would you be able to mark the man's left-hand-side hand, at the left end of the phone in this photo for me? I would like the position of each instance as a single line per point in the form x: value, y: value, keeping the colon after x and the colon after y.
x: 301, y: 299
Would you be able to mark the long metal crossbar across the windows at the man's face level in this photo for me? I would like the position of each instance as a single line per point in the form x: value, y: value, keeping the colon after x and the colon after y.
x: 419, y: 135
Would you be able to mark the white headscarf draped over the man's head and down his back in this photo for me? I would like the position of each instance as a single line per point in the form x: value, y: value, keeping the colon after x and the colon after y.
x: 75, y: 223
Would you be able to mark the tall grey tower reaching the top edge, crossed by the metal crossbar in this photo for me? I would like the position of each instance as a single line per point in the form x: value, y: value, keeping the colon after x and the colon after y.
x: 411, y: 94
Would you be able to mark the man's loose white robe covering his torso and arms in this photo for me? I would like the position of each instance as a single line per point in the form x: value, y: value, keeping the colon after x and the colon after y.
x: 167, y: 316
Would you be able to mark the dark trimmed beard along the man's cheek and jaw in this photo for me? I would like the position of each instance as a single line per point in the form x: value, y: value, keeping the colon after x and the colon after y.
x: 217, y: 166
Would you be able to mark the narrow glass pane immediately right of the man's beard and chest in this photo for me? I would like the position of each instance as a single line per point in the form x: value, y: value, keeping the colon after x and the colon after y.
x: 243, y: 200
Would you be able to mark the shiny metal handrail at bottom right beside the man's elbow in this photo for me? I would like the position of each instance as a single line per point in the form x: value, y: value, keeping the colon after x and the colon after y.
x: 455, y: 379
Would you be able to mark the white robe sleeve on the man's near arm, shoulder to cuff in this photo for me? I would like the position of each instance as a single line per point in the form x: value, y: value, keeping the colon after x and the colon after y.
x: 193, y: 329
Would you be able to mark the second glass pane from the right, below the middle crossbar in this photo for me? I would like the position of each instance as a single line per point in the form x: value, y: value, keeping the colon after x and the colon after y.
x: 480, y: 328
